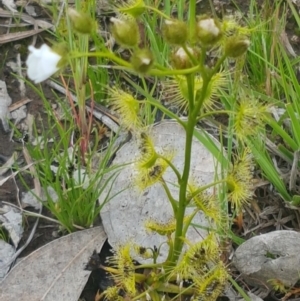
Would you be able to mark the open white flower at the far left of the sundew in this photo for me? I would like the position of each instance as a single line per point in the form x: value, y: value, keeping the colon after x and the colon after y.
x: 41, y: 63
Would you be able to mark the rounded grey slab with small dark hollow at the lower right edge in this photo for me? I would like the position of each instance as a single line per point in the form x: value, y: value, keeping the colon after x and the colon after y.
x: 274, y: 255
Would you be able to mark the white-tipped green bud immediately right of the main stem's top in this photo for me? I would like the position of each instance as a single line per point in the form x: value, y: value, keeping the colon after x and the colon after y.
x: 208, y: 31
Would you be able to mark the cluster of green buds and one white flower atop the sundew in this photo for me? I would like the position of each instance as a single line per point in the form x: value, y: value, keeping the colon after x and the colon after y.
x: 125, y: 30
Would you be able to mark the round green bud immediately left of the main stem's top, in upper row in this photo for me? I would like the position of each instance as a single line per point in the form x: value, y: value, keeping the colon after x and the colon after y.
x: 175, y: 32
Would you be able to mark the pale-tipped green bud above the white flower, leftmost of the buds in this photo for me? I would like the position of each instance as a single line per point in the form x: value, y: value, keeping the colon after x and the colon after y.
x: 81, y: 22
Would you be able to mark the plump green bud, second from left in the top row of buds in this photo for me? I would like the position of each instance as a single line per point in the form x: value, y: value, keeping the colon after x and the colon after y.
x: 125, y: 32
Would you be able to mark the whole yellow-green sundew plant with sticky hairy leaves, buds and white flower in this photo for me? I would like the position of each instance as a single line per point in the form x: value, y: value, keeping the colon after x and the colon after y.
x: 194, y: 81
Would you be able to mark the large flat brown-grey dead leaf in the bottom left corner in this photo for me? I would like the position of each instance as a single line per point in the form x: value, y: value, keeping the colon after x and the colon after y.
x: 55, y: 271
